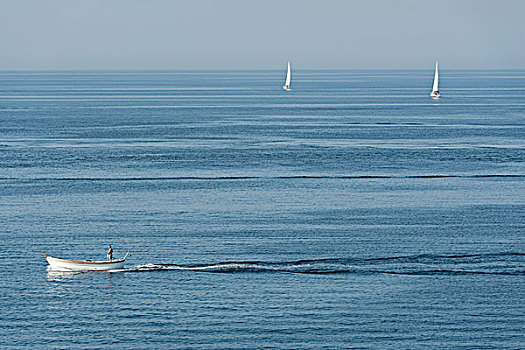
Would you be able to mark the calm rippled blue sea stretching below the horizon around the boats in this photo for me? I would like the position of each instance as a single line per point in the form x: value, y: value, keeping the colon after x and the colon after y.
x: 352, y: 212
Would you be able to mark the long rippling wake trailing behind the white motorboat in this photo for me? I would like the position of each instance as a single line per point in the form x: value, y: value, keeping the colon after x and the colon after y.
x: 484, y: 264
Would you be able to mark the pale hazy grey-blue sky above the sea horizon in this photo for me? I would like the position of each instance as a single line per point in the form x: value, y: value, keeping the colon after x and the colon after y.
x: 243, y: 34
